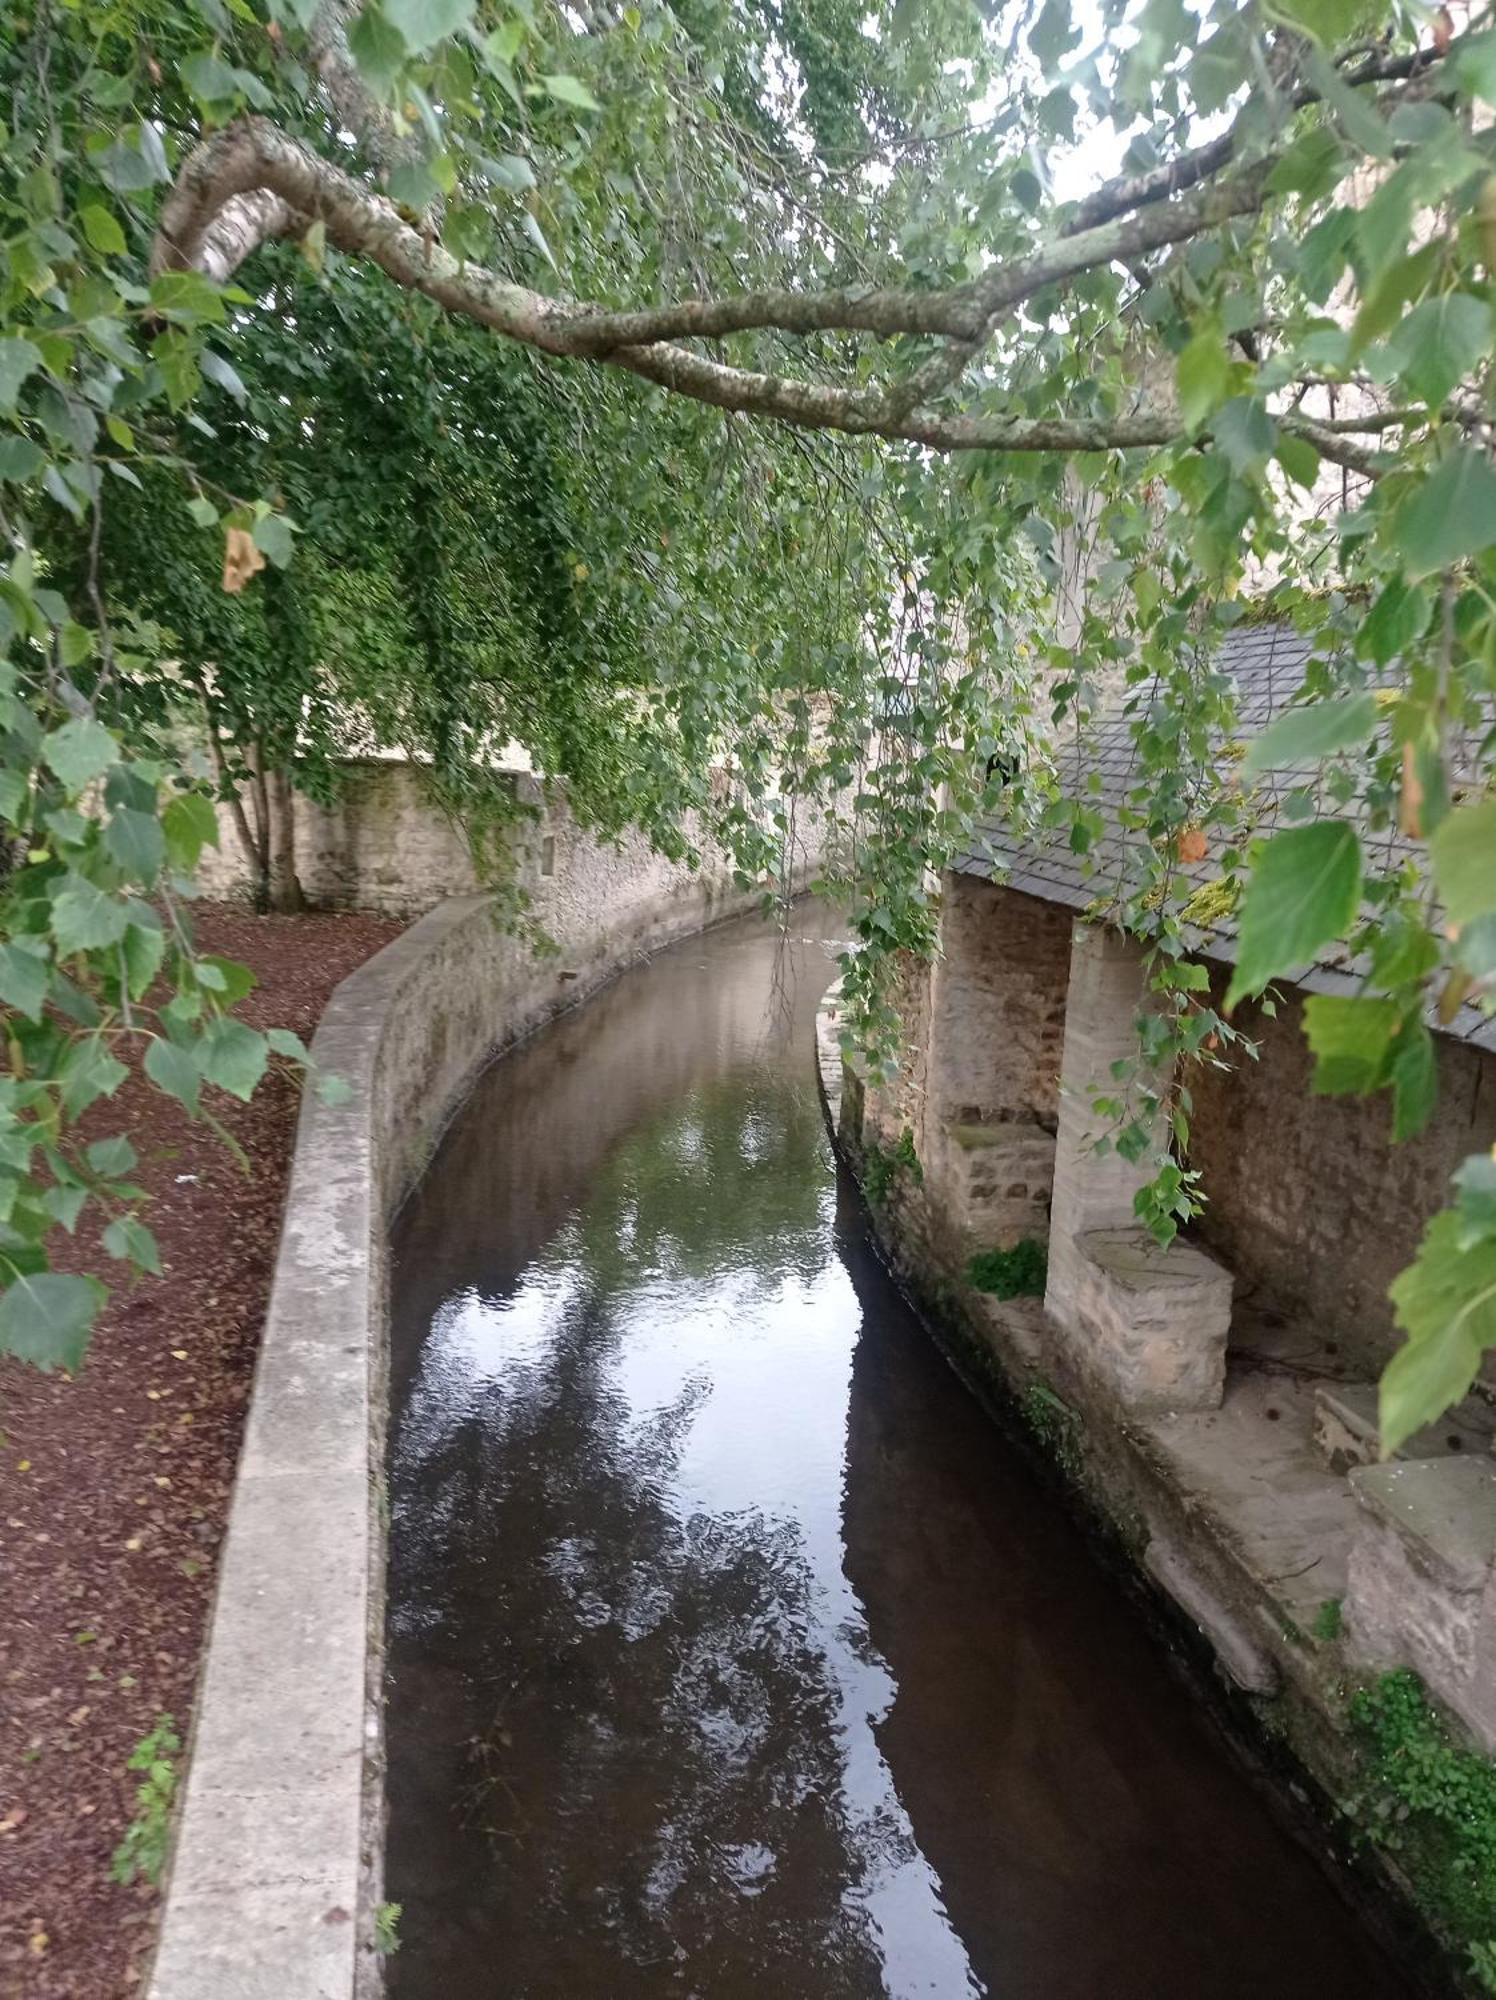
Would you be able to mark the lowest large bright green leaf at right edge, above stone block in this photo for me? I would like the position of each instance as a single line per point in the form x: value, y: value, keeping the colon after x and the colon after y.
x: 1447, y: 1305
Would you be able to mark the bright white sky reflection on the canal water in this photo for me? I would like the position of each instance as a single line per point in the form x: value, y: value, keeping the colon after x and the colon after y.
x: 733, y: 1375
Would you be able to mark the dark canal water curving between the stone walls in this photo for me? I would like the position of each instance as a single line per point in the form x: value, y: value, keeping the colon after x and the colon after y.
x: 733, y: 1653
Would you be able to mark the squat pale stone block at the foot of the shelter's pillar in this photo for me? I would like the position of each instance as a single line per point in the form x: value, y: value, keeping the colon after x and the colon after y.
x: 1153, y: 1323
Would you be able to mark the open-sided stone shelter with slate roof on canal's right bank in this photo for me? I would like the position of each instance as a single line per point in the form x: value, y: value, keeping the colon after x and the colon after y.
x: 1215, y: 1401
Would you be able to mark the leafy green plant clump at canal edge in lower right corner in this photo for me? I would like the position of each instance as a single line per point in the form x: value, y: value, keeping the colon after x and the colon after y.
x: 1433, y: 1803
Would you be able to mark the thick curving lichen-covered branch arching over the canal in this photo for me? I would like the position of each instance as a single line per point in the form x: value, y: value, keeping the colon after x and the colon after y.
x: 253, y: 183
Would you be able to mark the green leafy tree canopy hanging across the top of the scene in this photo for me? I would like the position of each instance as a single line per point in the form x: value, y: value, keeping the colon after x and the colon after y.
x: 447, y: 323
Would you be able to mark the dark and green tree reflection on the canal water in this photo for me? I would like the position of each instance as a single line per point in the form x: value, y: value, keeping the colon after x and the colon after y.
x: 633, y: 1703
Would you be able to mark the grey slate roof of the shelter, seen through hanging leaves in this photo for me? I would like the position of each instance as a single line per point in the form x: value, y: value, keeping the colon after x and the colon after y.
x: 1269, y: 665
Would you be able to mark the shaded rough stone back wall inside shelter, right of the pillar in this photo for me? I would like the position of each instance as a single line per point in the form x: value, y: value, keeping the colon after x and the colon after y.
x: 1311, y: 1203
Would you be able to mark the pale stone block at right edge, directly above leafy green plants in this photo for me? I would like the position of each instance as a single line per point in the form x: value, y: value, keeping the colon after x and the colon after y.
x: 1421, y: 1579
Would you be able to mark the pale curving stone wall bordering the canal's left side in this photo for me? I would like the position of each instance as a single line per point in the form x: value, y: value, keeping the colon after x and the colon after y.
x: 277, y: 1865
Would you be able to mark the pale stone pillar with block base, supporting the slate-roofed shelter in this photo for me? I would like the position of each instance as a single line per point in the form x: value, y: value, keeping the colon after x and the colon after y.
x: 1153, y: 1323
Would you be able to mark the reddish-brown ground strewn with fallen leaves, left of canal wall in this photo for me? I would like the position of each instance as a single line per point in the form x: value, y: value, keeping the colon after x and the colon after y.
x: 115, y: 1487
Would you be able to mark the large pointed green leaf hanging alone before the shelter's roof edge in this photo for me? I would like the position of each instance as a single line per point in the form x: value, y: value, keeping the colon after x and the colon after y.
x: 1303, y: 893
